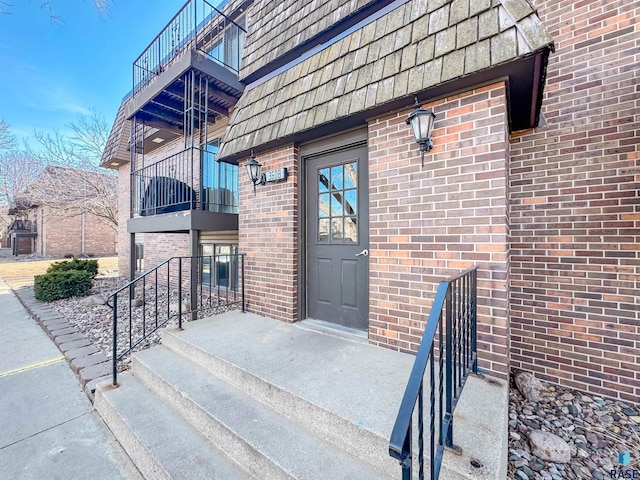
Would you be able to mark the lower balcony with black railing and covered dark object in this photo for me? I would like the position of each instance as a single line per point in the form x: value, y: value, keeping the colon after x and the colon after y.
x: 188, y: 190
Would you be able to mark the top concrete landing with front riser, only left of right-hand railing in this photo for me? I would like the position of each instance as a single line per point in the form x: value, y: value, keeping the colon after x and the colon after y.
x: 346, y: 392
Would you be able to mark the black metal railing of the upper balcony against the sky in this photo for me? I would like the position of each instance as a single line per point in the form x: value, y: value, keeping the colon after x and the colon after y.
x: 198, y: 25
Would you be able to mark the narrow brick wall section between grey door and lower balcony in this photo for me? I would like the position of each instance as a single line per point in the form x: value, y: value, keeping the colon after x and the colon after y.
x: 268, y: 235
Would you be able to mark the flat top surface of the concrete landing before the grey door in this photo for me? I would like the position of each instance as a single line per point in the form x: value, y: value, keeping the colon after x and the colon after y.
x: 359, y: 382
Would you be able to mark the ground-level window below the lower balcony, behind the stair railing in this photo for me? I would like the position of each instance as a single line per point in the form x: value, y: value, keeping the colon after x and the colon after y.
x: 219, y: 266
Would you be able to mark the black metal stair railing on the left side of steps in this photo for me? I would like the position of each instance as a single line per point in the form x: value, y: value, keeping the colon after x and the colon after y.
x: 178, y: 289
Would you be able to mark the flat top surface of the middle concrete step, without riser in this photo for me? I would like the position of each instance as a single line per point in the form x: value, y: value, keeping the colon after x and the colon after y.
x: 289, y: 445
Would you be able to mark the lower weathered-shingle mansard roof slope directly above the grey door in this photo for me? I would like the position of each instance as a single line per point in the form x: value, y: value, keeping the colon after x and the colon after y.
x: 418, y: 46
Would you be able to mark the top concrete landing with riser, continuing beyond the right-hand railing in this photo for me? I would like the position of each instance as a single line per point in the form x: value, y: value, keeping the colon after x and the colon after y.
x: 344, y: 391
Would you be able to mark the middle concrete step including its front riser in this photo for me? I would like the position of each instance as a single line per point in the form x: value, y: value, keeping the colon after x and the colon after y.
x: 264, y: 442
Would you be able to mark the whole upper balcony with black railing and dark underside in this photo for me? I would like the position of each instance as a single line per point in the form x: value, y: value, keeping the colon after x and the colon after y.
x: 192, y: 63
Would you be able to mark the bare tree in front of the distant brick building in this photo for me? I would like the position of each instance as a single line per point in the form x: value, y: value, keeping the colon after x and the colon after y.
x: 73, y: 181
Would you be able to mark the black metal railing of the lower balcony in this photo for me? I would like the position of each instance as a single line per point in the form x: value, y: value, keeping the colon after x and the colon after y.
x: 174, y: 185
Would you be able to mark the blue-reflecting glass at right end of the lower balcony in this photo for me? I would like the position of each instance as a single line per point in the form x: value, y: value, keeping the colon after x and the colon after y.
x: 219, y: 182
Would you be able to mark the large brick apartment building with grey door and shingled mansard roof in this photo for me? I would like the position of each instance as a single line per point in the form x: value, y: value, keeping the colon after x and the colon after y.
x: 534, y: 175
